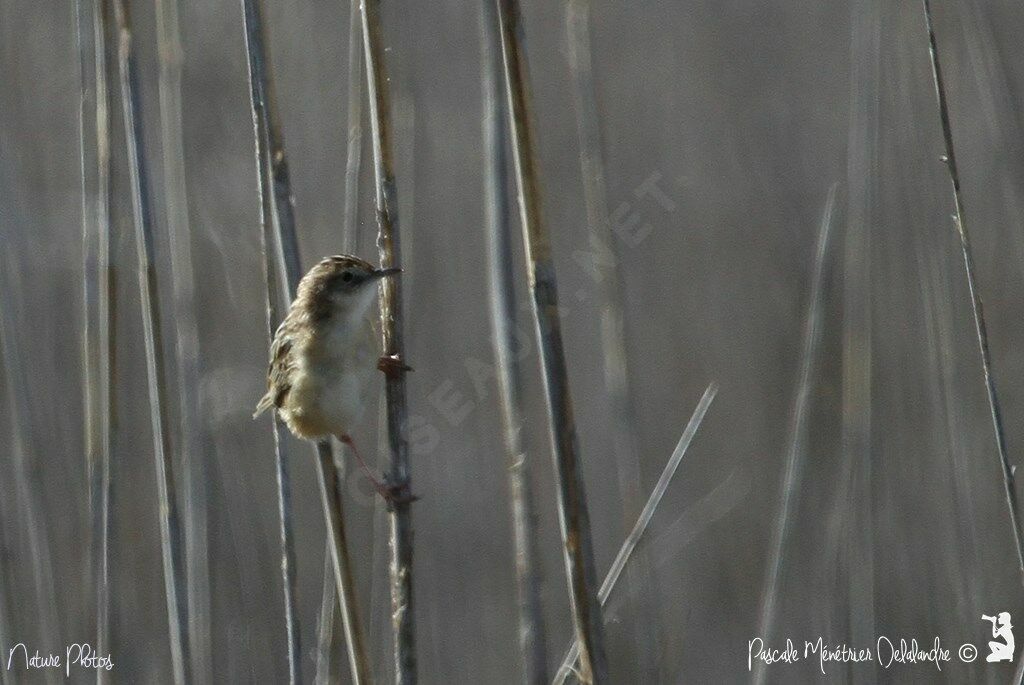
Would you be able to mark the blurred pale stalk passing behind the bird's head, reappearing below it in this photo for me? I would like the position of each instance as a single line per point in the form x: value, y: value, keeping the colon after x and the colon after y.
x: 350, y: 244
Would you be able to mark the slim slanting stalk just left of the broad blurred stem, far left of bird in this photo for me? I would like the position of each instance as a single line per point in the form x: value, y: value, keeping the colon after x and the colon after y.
x: 175, y: 573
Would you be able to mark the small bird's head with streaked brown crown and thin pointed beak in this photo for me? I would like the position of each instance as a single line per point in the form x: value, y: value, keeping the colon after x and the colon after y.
x: 342, y: 285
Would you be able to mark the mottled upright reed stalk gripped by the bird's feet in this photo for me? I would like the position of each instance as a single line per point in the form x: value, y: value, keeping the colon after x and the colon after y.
x: 393, y: 344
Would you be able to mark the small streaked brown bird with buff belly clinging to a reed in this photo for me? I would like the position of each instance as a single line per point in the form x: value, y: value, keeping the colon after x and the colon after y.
x: 325, y: 353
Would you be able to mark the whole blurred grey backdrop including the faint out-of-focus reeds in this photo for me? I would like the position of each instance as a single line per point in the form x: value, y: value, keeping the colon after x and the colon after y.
x: 780, y: 226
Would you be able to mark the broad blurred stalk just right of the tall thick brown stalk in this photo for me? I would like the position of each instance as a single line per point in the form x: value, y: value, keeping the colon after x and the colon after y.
x: 641, y: 578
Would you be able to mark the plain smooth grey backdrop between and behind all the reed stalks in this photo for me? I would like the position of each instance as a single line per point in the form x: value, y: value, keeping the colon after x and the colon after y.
x: 745, y: 113
